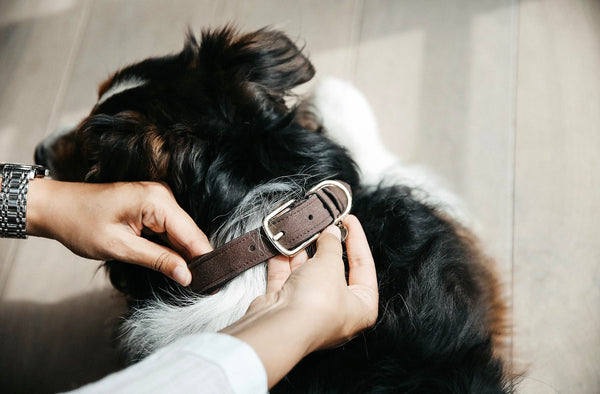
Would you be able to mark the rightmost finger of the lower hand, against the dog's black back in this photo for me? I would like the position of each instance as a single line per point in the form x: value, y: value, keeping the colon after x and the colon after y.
x: 360, y: 261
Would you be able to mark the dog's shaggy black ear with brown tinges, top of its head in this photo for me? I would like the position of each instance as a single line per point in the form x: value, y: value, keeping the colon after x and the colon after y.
x: 256, y: 70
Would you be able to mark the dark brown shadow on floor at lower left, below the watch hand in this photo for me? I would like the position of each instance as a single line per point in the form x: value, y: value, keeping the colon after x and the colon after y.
x: 56, y: 347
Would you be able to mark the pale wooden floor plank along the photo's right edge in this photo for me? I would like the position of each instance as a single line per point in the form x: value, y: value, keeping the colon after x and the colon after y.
x: 557, y: 253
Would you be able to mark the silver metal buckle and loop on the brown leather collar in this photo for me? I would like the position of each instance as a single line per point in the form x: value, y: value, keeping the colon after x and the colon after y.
x: 274, y: 238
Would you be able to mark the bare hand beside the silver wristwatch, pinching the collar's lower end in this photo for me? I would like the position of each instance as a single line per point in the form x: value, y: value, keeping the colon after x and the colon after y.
x: 105, y: 222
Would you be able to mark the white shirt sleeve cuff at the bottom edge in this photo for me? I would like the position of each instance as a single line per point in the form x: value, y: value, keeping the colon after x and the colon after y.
x: 202, y: 363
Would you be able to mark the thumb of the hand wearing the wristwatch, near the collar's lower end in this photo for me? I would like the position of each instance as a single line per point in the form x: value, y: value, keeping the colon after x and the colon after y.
x: 142, y: 252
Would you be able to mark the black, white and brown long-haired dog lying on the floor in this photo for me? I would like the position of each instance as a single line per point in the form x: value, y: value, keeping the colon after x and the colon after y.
x: 219, y: 123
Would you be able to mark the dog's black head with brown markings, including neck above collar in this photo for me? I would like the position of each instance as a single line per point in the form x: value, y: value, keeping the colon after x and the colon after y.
x: 211, y: 121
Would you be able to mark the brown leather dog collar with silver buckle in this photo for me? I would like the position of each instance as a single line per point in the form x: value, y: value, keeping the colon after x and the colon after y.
x: 287, y: 230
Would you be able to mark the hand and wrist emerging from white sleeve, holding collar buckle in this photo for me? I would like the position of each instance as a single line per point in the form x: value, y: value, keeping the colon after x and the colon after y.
x: 309, y: 305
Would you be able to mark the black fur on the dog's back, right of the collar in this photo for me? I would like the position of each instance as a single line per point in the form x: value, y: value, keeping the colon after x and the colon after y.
x: 432, y: 334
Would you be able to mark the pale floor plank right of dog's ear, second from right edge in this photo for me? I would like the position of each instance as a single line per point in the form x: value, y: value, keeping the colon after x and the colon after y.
x: 441, y: 78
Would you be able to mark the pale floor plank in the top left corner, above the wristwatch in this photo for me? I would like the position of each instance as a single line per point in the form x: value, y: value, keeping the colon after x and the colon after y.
x: 35, y: 43
